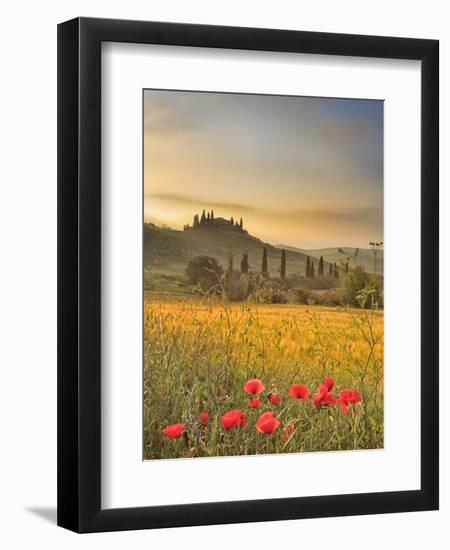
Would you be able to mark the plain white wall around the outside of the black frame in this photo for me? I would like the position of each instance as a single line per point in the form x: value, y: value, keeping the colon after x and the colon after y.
x: 28, y: 270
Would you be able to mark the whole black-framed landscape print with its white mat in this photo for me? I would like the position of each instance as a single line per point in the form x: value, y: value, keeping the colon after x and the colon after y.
x: 247, y: 275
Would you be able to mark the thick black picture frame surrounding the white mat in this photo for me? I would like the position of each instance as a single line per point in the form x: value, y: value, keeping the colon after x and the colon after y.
x: 79, y: 274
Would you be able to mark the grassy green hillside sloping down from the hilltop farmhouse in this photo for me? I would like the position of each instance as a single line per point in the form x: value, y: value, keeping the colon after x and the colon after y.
x: 168, y: 251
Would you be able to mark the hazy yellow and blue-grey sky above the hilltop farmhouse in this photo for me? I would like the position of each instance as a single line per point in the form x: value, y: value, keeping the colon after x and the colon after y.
x: 300, y: 171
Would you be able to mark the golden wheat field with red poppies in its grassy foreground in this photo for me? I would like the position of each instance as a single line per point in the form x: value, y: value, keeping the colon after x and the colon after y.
x: 201, y: 361
